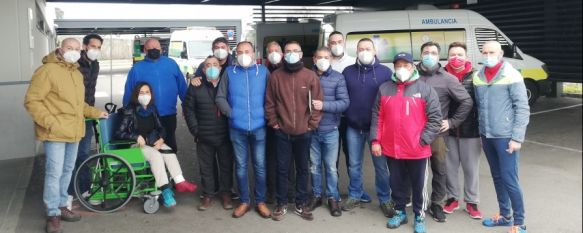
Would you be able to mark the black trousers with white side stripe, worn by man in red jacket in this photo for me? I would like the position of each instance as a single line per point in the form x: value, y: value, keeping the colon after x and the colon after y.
x: 413, y: 170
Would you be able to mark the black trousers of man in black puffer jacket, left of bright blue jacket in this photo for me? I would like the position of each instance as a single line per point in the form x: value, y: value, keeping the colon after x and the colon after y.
x: 216, y: 167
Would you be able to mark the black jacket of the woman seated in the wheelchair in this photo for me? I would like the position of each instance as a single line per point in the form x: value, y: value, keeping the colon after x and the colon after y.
x: 128, y: 128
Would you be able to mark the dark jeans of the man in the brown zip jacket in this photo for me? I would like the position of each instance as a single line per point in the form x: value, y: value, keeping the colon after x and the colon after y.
x: 296, y: 147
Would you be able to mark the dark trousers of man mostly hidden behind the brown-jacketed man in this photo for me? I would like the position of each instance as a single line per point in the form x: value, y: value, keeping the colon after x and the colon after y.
x: 271, y: 159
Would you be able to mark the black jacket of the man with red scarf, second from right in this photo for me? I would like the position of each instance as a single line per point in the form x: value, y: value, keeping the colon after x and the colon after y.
x: 469, y: 127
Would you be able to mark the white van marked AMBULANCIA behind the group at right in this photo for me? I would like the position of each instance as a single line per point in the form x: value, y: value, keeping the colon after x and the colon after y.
x: 398, y: 31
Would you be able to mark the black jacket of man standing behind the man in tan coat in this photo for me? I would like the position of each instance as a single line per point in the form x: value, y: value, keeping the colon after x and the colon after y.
x: 90, y: 71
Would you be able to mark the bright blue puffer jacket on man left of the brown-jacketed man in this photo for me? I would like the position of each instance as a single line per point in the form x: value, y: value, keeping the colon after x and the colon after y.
x: 241, y: 96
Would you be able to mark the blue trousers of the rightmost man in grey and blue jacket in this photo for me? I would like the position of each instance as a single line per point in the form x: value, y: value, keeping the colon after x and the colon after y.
x: 504, y: 169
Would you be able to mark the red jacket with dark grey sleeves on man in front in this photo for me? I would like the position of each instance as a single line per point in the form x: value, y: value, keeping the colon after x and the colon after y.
x: 406, y: 118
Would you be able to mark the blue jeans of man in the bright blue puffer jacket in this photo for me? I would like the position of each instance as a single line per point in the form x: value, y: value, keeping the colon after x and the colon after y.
x: 253, y: 143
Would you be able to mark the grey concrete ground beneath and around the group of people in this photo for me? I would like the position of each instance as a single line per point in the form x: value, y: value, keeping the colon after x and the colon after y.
x: 550, y: 171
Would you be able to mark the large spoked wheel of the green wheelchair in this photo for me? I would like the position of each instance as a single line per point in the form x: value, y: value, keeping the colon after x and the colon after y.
x: 104, y: 183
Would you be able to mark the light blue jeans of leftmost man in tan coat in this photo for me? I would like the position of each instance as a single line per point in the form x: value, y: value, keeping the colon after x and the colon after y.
x: 59, y: 165
